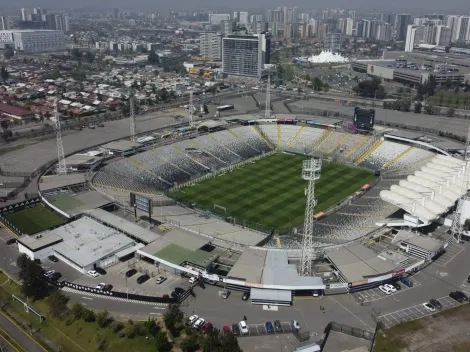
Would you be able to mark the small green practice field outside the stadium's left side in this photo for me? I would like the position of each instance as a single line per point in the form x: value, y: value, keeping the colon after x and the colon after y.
x: 34, y: 220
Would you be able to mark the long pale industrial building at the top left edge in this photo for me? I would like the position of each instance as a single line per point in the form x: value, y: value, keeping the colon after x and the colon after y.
x: 33, y: 41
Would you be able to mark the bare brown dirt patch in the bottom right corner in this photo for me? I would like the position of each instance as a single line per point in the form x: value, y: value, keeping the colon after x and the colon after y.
x: 445, y: 331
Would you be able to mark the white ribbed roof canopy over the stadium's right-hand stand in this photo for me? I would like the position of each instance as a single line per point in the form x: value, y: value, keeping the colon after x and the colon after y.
x: 431, y: 191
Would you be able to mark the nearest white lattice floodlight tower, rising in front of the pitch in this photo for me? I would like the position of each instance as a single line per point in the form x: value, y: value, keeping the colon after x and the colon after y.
x: 310, y: 172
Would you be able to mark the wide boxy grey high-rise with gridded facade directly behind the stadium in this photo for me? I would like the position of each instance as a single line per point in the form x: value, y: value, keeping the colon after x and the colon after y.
x: 244, y: 55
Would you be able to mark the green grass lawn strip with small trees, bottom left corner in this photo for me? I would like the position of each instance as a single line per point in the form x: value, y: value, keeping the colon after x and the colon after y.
x: 76, y: 337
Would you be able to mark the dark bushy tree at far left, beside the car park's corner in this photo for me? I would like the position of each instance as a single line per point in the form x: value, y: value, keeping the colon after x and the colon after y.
x: 30, y: 274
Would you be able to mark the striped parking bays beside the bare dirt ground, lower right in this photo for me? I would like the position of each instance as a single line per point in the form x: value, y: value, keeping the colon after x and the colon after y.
x: 416, y: 312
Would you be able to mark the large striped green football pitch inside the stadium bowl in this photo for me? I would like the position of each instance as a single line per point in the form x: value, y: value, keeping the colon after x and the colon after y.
x: 271, y: 191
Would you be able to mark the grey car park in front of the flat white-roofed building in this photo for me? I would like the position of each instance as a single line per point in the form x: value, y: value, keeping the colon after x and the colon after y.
x: 116, y: 276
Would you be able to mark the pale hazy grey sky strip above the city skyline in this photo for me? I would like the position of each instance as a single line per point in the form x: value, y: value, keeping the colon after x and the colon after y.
x: 418, y: 6
